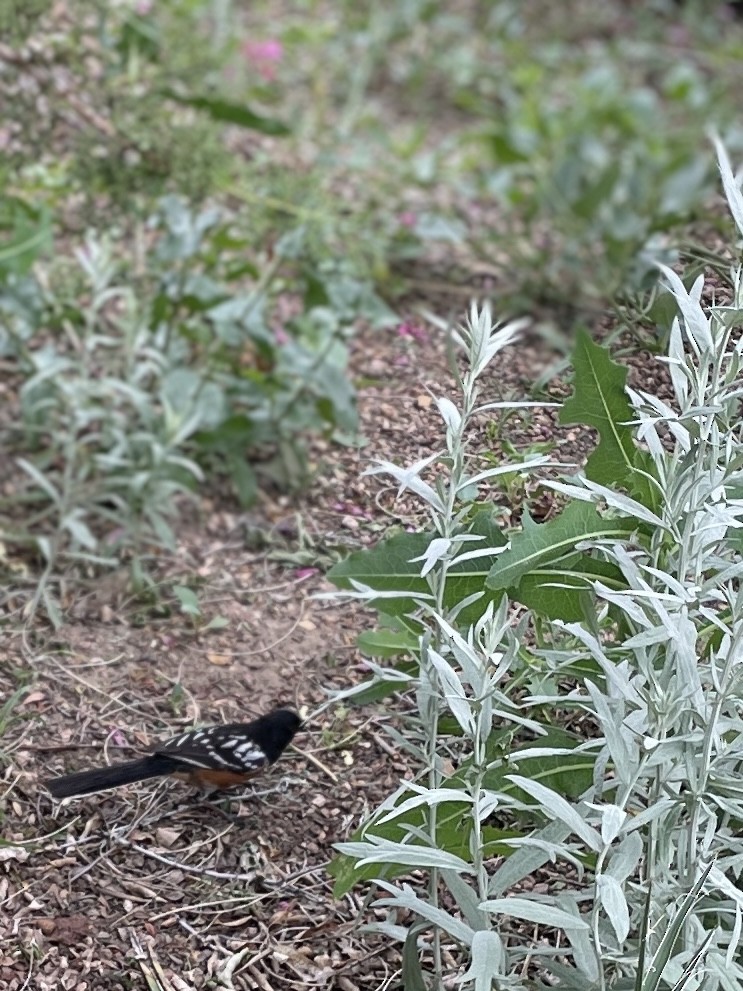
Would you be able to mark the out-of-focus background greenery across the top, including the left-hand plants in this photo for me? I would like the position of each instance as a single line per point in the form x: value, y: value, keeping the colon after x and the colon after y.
x: 202, y: 200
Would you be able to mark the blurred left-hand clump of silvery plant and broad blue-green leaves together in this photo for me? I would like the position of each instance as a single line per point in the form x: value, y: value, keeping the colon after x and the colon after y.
x: 137, y: 383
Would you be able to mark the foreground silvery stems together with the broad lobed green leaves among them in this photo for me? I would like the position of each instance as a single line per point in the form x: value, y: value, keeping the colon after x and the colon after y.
x: 625, y: 812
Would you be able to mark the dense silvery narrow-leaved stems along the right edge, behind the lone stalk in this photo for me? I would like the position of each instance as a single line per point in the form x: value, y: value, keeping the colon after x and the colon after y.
x: 668, y: 697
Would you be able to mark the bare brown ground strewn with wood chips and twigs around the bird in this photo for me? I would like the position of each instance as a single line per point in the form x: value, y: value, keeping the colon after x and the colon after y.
x: 148, y: 886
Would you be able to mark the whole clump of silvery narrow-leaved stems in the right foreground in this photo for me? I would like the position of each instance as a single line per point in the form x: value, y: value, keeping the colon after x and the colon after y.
x: 651, y: 849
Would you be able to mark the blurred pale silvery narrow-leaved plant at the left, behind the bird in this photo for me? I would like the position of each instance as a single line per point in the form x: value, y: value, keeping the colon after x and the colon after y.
x: 116, y: 464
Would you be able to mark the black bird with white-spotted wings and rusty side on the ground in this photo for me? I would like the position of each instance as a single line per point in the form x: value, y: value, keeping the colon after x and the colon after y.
x: 214, y: 758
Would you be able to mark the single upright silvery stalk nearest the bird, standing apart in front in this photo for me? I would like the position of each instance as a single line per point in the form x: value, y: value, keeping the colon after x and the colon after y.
x: 464, y: 674
